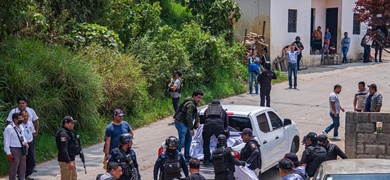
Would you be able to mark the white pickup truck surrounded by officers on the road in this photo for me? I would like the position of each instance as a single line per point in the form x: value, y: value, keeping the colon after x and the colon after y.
x: 275, y: 136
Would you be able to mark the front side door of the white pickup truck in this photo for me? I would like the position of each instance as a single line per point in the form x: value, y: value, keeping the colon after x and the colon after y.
x: 278, y: 135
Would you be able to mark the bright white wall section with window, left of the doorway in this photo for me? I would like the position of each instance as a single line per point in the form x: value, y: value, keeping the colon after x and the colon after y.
x: 280, y: 37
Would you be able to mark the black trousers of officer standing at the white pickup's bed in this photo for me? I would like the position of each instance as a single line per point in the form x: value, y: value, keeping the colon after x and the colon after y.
x: 208, y: 131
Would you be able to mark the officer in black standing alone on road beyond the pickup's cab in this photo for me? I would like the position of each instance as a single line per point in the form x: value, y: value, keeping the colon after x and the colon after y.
x: 264, y: 80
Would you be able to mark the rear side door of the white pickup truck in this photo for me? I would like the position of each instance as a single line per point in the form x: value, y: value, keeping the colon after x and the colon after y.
x: 267, y: 144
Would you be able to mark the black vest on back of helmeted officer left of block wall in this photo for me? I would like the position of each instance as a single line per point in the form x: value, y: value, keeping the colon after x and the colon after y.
x: 318, y: 154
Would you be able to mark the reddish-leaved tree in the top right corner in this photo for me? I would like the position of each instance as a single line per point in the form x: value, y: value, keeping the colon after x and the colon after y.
x: 374, y: 12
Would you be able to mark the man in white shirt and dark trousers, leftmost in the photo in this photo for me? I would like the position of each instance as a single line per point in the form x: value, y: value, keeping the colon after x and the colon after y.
x: 13, y: 144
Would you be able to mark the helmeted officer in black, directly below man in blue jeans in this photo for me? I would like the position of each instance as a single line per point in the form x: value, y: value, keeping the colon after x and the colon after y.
x: 170, y: 162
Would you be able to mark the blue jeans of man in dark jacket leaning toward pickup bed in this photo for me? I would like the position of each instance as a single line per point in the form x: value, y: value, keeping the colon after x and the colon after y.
x: 185, y: 138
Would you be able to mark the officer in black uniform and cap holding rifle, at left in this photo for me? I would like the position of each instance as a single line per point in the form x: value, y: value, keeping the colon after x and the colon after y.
x: 67, y: 149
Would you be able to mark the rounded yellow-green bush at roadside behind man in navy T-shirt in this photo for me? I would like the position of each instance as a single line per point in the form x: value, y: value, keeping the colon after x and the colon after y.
x: 123, y: 82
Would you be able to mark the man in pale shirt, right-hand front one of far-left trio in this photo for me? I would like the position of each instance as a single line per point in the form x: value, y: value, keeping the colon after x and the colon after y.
x: 28, y: 130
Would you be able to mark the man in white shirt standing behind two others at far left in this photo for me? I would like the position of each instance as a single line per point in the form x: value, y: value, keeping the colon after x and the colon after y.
x: 22, y: 105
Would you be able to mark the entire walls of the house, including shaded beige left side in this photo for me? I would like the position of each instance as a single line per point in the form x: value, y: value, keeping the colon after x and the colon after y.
x: 275, y: 14
